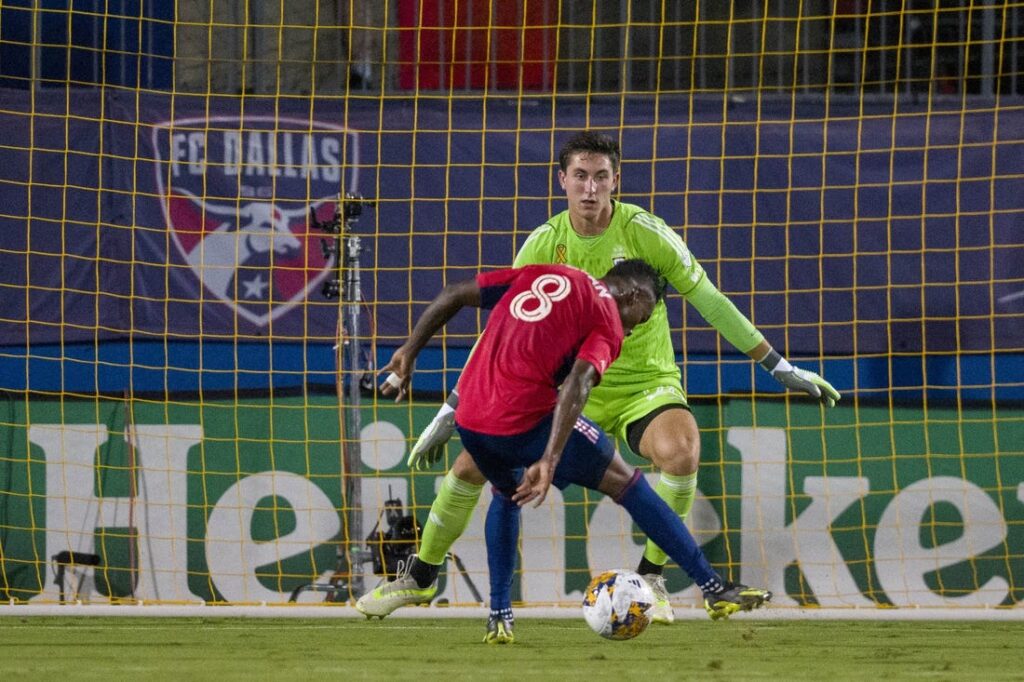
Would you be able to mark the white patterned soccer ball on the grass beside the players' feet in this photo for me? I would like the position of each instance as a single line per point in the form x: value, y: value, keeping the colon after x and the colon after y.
x: 616, y: 605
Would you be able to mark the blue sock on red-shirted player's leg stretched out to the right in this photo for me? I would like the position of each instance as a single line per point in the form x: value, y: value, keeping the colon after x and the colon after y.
x: 663, y: 526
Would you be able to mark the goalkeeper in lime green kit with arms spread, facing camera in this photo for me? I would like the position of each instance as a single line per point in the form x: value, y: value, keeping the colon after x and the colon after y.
x: 641, y: 399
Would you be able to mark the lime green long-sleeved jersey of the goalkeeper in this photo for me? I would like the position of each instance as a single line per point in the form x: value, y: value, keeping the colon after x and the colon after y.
x: 648, y: 355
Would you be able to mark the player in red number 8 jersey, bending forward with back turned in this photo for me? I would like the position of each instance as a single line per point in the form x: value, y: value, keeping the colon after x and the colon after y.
x: 552, y: 333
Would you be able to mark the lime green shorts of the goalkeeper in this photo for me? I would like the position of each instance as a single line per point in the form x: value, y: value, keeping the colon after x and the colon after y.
x: 615, y: 408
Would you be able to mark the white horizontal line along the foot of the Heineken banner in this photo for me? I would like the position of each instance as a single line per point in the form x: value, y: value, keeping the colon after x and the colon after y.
x: 332, y: 612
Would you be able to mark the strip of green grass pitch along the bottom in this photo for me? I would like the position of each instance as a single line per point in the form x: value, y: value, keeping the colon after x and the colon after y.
x: 230, y: 649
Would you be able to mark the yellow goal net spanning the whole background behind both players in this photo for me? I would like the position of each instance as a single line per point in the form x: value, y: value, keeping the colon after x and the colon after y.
x: 173, y: 409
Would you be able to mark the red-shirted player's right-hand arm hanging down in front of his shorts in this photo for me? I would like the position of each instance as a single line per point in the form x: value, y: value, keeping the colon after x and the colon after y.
x: 572, y: 398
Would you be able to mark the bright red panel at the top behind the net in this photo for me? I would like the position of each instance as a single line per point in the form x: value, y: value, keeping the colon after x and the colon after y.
x: 477, y: 45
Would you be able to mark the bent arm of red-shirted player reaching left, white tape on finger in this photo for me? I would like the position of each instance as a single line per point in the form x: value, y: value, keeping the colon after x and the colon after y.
x: 452, y: 300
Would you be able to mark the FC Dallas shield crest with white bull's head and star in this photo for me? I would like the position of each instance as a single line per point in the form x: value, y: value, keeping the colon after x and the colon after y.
x: 237, y: 194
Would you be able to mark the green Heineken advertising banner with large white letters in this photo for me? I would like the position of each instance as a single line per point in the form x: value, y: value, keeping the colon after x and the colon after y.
x: 244, y: 501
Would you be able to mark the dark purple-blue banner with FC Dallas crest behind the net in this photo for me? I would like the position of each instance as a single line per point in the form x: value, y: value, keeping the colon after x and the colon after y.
x: 149, y: 217
